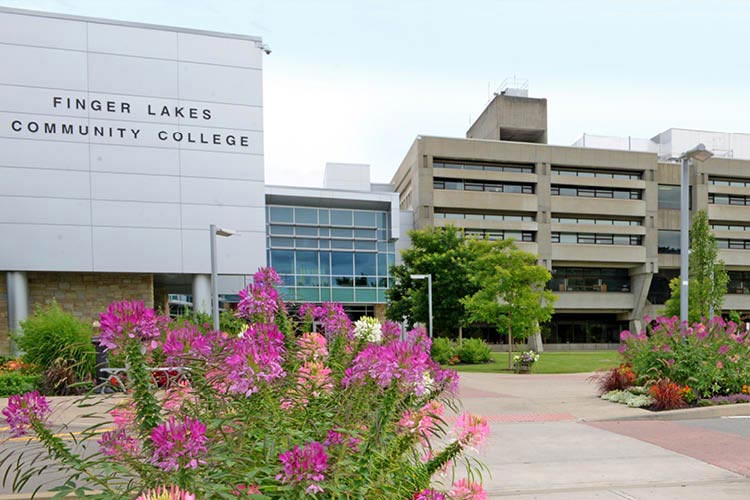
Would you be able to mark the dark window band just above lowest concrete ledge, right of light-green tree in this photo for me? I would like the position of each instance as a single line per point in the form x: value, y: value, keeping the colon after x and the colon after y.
x: 583, y: 279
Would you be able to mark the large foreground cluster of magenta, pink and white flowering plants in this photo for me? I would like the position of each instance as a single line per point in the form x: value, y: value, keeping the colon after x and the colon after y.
x: 355, y: 411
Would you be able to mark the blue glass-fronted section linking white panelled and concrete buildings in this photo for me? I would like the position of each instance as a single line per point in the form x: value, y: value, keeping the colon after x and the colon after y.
x: 335, y: 243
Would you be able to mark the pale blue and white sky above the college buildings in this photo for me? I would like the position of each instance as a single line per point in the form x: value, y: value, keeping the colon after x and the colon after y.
x: 356, y: 81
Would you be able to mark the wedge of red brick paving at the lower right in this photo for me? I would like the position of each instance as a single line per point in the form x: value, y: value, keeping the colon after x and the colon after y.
x: 728, y: 451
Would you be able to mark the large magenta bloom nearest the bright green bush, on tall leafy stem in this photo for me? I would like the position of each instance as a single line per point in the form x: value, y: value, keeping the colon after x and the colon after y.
x: 125, y: 321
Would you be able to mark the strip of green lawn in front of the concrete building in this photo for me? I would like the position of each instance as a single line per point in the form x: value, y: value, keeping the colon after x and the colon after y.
x: 551, y: 362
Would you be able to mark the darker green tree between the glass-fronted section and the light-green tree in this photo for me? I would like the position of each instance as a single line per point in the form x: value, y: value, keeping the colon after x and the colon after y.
x: 443, y: 253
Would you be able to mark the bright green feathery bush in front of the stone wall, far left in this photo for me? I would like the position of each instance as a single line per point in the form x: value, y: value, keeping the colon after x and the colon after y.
x: 50, y: 334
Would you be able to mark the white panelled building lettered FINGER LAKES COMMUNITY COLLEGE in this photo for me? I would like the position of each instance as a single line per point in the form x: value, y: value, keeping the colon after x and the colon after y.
x: 119, y: 144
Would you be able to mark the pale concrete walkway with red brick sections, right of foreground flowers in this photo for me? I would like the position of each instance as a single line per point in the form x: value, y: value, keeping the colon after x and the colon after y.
x: 552, y: 438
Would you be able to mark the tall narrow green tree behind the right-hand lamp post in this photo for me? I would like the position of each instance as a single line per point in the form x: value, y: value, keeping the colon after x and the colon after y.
x: 707, y: 275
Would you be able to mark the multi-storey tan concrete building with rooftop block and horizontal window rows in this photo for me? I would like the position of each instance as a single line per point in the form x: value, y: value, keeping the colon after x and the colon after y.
x: 604, y: 221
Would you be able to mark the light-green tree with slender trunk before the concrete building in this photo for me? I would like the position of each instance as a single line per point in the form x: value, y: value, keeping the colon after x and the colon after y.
x: 510, y: 290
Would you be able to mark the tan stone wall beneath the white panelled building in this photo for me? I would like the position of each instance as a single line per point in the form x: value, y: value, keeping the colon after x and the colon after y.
x: 84, y: 295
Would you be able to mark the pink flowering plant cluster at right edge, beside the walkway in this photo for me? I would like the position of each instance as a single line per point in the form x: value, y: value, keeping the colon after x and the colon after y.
x: 703, y: 360
